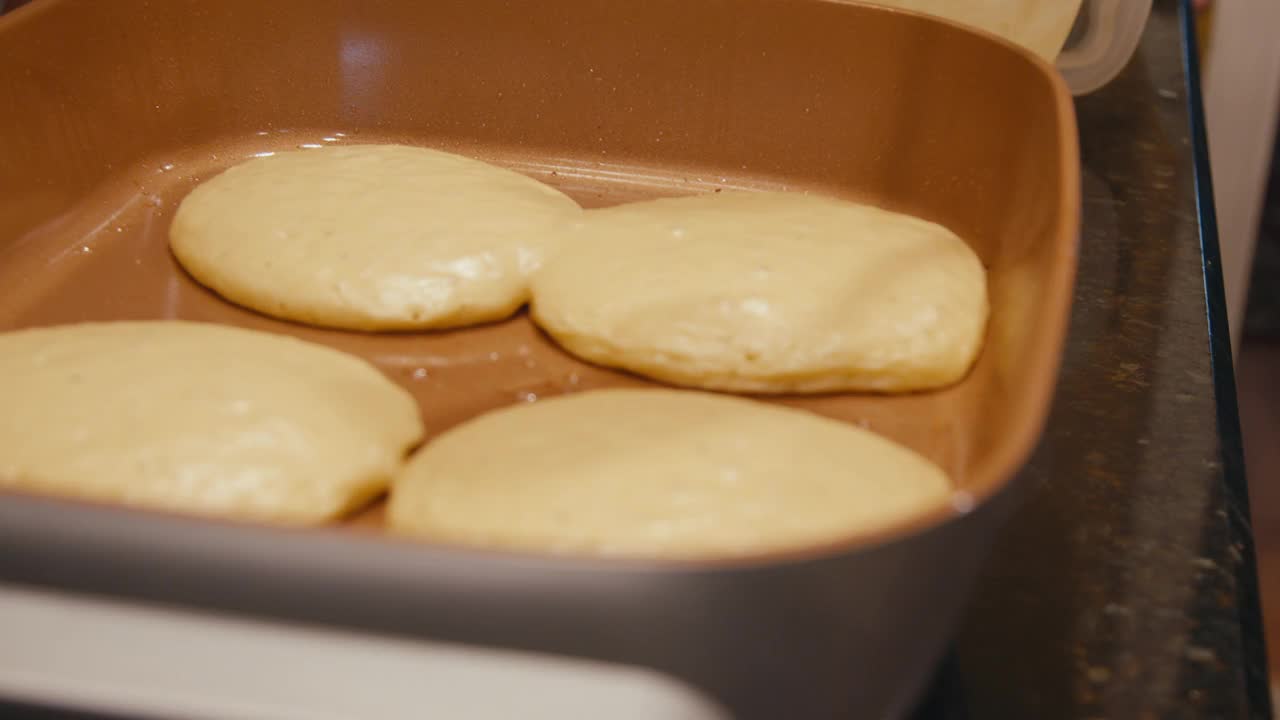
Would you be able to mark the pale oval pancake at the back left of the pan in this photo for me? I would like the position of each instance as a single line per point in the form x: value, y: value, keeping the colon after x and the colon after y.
x: 369, y: 238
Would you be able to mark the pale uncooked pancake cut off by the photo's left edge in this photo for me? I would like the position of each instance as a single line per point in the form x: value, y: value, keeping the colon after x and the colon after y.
x: 199, y: 420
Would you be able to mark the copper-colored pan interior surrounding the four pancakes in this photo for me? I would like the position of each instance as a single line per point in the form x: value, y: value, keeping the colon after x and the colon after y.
x: 112, y: 112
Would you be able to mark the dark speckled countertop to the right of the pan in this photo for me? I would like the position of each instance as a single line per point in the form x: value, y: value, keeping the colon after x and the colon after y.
x: 1126, y: 586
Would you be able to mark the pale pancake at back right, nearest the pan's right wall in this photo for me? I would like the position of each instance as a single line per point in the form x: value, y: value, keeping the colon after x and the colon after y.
x: 766, y: 293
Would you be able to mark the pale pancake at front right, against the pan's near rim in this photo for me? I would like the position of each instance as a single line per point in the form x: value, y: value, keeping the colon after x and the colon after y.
x: 659, y: 473
